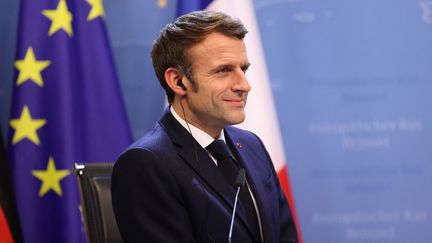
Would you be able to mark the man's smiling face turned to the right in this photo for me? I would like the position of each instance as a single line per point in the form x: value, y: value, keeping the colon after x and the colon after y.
x: 219, y: 65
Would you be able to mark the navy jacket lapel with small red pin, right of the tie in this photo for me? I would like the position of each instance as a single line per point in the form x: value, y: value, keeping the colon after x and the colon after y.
x: 254, y: 179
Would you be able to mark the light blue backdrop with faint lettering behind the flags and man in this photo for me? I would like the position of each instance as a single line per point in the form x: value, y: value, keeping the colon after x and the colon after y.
x: 351, y: 81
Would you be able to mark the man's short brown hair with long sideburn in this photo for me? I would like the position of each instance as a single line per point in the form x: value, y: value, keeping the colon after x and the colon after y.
x: 172, y: 43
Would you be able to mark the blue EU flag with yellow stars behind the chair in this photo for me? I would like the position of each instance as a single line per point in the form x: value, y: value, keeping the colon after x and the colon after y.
x: 66, y: 108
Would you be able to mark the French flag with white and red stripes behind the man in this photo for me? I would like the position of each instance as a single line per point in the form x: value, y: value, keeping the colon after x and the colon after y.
x: 261, y: 115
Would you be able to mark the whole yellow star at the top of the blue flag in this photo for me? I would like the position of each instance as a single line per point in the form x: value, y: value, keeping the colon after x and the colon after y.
x: 60, y: 18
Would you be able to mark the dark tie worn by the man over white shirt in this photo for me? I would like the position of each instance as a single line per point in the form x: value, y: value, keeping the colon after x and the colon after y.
x: 229, y: 167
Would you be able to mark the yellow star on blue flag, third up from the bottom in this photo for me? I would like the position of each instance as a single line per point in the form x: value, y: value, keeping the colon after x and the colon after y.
x: 30, y: 68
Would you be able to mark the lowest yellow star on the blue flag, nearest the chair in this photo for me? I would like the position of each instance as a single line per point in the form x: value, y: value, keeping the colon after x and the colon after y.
x: 50, y: 178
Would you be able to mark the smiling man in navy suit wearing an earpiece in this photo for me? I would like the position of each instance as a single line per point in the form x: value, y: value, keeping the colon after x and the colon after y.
x: 176, y: 184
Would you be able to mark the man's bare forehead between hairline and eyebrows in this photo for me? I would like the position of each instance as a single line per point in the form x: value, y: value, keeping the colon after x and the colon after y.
x: 216, y: 49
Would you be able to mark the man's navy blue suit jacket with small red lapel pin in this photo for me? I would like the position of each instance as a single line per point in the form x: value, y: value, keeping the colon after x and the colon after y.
x: 165, y: 188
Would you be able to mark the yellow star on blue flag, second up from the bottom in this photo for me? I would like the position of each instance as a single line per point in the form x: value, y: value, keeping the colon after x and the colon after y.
x: 26, y: 127
